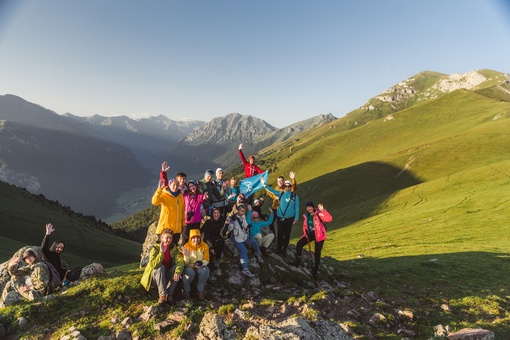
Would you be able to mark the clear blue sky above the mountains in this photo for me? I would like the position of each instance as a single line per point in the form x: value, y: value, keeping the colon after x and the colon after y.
x: 282, y: 61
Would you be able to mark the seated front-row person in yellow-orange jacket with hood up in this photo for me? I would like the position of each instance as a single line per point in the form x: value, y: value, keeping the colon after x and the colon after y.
x: 196, y: 259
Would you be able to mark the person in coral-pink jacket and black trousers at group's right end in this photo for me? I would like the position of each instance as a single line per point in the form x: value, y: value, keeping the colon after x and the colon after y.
x: 314, y: 229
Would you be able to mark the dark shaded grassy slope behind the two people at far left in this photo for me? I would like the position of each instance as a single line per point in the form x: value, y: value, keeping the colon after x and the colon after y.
x: 22, y: 222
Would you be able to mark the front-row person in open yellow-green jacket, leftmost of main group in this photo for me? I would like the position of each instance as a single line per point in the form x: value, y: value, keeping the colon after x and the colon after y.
x: 164, y: 269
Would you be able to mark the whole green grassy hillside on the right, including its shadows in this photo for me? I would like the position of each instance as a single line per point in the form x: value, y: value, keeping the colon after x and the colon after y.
x: 438, y: 233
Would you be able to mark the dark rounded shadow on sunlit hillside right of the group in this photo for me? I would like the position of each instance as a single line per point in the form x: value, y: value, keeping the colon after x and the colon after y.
x: 355, y: 193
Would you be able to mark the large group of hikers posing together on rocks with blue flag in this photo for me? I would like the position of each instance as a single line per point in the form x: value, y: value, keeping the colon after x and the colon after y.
x: 197, y: 217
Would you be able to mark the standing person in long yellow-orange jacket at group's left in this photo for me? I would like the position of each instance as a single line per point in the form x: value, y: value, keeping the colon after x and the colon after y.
x: 172, y: 215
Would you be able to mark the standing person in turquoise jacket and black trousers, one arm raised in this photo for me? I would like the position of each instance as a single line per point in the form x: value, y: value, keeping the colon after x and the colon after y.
x: 287, y: 214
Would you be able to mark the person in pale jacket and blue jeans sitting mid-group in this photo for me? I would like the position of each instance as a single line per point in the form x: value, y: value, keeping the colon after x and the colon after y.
x: 239, y: 228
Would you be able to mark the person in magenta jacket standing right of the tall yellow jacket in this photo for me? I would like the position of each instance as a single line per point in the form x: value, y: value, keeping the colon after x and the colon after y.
x: 193, y: 200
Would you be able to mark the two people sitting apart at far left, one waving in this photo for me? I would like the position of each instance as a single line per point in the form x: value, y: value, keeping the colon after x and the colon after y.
x: 46, y: 272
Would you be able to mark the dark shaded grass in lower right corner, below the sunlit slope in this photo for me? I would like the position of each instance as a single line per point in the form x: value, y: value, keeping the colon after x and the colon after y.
x: 473, y: 284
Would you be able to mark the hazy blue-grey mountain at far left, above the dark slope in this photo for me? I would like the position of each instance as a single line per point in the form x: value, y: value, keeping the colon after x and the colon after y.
x: 46, y: 153
